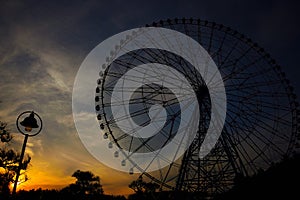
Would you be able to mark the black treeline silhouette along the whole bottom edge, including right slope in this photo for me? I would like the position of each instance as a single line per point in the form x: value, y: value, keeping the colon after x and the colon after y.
x: 280, y: 181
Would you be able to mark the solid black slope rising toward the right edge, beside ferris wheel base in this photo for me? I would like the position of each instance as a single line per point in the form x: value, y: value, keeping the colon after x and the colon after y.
x: 280, y: 181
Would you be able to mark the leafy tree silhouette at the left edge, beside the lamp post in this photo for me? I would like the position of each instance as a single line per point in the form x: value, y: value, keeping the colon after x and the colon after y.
x: 9, y: 160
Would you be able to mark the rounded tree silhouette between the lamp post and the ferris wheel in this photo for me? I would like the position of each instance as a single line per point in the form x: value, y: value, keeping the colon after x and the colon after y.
x: 87, y: 185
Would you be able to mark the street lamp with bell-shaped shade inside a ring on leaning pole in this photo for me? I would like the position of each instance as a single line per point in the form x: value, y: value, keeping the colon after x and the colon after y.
x: 29, y: 126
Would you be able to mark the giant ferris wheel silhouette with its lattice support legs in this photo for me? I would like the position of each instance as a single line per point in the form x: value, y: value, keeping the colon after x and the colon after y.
x: 142, y: 104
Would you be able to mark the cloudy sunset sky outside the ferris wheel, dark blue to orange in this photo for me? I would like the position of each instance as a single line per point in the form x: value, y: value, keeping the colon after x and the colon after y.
x: 43, y: 43
